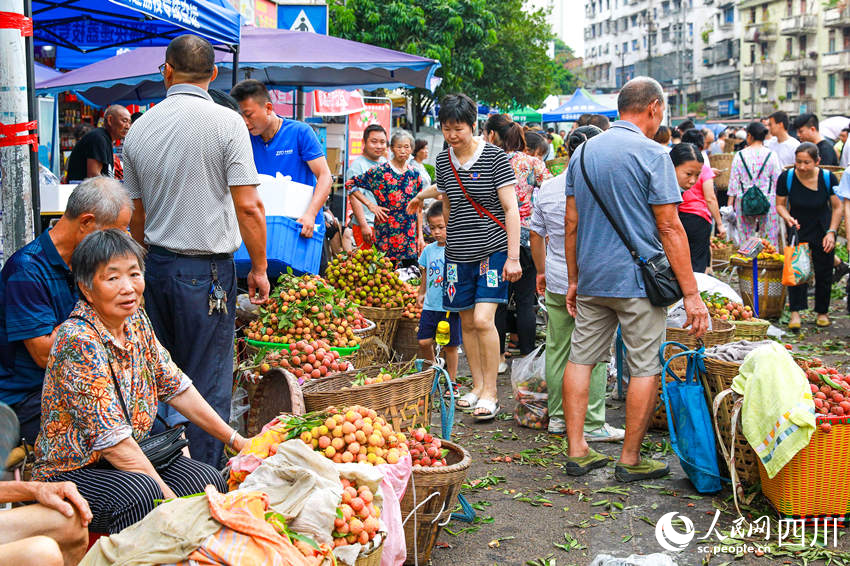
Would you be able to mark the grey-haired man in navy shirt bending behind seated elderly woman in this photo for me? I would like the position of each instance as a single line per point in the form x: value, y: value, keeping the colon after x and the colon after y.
x: 37, y: 293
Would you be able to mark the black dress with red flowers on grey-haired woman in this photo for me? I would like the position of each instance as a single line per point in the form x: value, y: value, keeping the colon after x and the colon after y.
x: 393, y: 189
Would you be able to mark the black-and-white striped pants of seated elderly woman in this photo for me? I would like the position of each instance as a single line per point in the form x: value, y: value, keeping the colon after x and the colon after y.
x: 119, y: 499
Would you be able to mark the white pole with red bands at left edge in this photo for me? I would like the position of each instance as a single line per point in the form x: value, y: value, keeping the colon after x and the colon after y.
x: 16, y: 225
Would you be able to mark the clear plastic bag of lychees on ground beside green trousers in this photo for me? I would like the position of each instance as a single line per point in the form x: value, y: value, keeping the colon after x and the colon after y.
x: 528, y: 381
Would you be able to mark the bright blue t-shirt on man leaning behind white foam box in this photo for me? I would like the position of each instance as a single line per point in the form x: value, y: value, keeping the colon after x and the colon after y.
x: 288, y: 152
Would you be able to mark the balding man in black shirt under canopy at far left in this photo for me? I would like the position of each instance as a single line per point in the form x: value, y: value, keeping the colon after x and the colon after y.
x: 92, y: 156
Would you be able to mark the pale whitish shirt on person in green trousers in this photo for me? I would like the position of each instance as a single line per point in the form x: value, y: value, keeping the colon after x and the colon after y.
x: 547, y: 219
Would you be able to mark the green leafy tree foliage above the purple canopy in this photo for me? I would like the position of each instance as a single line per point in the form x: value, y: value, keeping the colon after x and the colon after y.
x: 492, y: 50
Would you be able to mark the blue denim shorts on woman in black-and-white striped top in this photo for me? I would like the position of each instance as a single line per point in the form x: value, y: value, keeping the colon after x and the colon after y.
x: 468, y: 283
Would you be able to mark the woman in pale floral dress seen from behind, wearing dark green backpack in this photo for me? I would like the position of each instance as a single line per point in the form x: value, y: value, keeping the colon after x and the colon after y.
x: 751, y: 159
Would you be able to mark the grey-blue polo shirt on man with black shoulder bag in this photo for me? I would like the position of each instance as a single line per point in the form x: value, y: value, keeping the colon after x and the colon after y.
x: 630, y: 173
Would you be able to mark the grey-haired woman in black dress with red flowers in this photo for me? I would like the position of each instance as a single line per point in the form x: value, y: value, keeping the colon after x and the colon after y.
x: 394, y: 184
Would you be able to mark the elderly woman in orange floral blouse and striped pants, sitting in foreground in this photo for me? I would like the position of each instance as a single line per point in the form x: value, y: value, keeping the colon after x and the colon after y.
x: 108, y: 339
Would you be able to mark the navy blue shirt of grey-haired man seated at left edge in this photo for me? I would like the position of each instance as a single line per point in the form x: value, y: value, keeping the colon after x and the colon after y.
x: 36, y: 295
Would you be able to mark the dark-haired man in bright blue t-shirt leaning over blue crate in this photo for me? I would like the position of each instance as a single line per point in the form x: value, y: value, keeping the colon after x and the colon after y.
x: 288, y: 147
